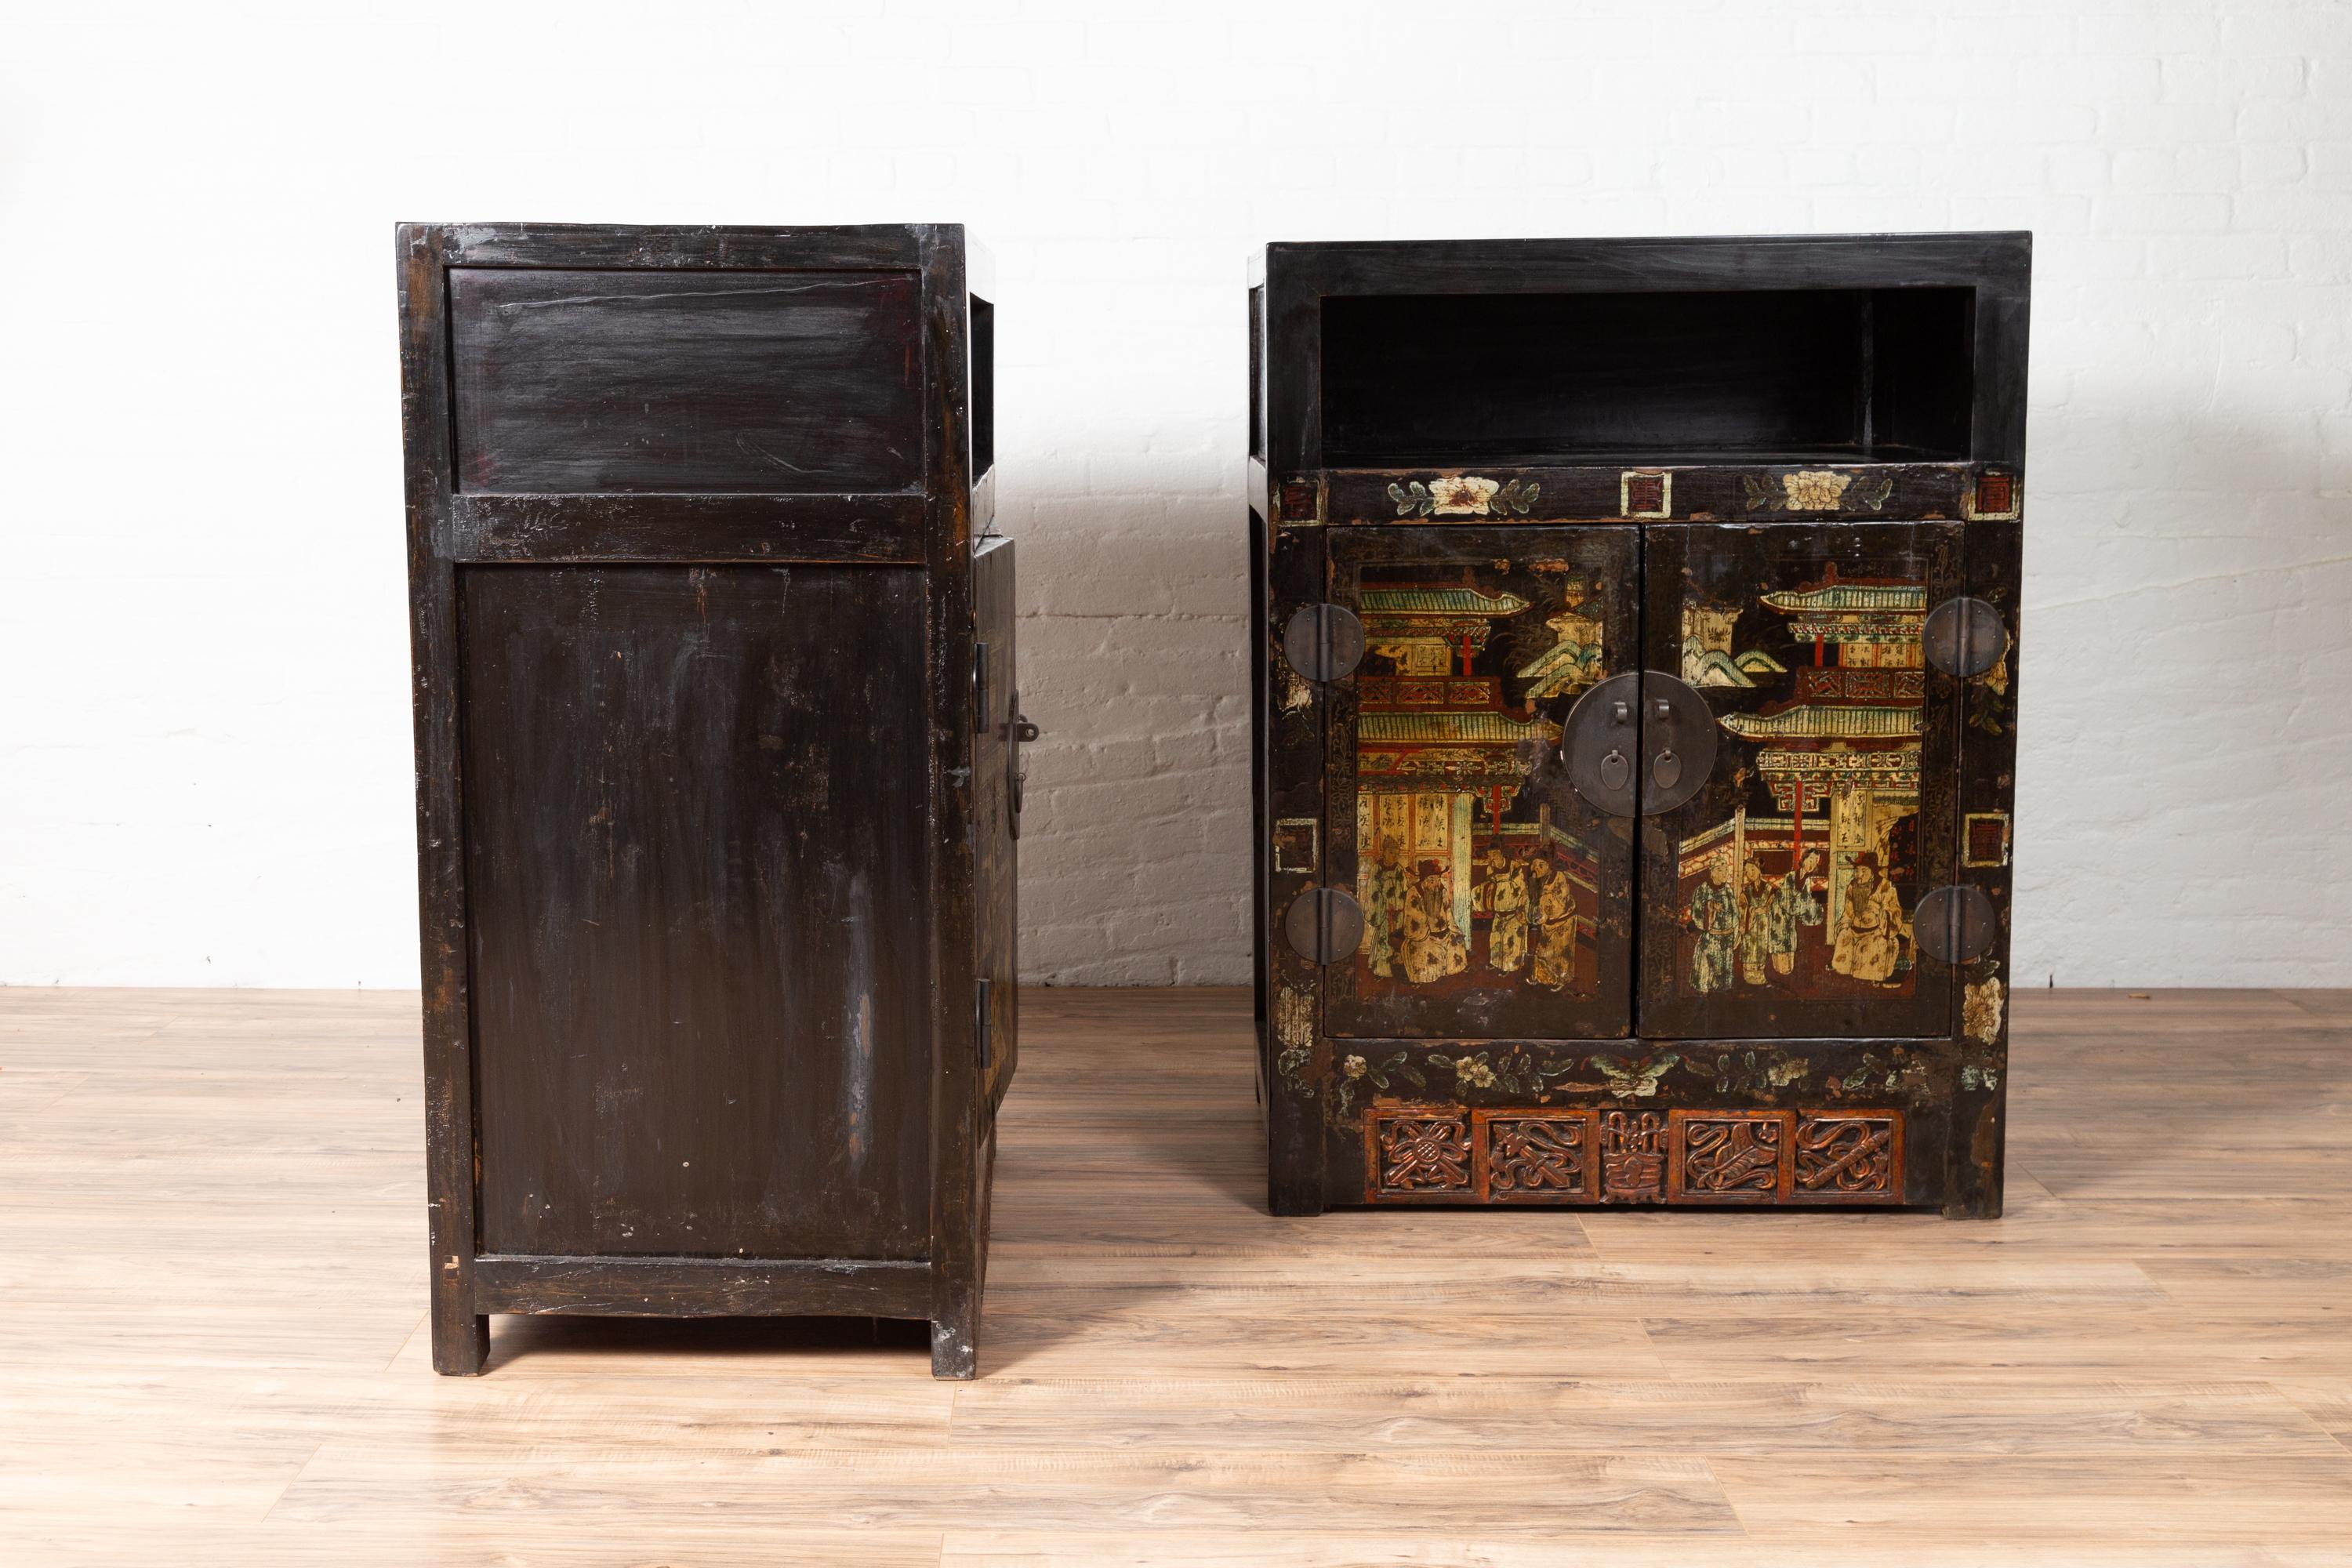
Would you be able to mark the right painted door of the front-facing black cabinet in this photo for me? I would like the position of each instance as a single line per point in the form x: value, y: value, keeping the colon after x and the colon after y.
x: 1777, y: 904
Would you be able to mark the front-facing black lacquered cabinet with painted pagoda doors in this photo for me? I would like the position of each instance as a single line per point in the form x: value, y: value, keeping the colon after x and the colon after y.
x: 1636, y: 718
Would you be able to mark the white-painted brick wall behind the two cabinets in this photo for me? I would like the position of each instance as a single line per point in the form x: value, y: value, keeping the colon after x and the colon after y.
x: 201, y: 608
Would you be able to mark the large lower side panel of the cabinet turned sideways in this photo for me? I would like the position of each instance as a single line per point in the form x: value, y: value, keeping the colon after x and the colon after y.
x: 697, y: 855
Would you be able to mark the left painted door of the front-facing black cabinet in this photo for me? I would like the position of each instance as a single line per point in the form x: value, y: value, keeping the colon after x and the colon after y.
x: 1497, y: 904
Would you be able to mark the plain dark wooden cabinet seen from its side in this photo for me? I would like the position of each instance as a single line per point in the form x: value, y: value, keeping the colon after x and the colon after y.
x: 716, y: 772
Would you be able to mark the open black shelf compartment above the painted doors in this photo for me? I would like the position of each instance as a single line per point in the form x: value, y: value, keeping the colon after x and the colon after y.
x: 1650, y: 377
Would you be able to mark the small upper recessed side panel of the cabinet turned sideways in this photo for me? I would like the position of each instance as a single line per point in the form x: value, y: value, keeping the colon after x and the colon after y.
x: 686, y: 382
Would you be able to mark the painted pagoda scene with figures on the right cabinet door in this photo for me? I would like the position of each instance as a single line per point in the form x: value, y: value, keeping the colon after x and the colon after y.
x: 1808, y: 887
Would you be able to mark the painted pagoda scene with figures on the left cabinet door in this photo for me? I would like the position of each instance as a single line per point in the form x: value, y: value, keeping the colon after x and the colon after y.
x: 1464, y: 883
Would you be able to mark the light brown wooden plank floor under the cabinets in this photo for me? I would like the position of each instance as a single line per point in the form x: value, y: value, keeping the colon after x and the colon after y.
x: 213, y: 1351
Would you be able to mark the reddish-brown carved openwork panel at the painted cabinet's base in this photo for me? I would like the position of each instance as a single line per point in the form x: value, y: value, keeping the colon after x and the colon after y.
x: 1612, y: 1155
